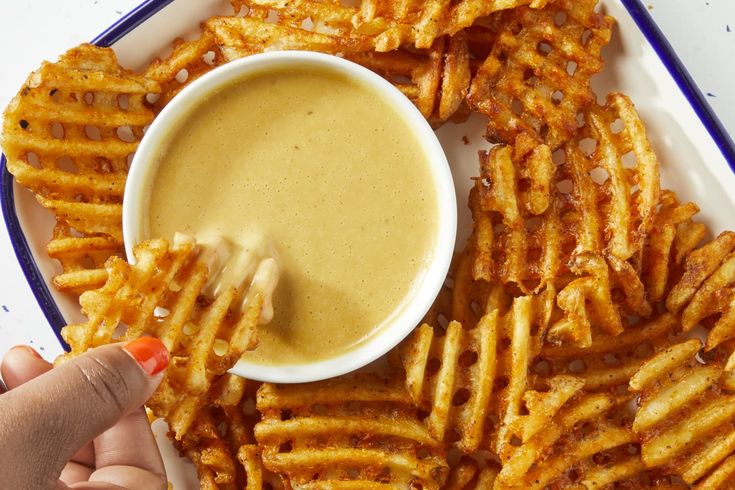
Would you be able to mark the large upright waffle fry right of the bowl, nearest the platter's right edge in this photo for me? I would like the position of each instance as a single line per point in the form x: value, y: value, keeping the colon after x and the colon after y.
x: 531, y: 216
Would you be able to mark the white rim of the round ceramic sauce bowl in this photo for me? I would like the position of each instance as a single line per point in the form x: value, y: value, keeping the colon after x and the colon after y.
x: 145, y: 163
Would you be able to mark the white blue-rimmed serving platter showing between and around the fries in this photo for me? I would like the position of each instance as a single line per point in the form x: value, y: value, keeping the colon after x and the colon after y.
x: 697, y: 157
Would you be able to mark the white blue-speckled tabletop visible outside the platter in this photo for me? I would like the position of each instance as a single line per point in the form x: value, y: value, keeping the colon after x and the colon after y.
x: 702, y: 32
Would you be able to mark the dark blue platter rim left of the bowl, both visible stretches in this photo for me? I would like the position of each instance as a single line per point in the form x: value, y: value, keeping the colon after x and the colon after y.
x: 45, y: 300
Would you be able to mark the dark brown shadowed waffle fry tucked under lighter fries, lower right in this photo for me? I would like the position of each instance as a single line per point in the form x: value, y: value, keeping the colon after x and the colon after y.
x: 609, y: 362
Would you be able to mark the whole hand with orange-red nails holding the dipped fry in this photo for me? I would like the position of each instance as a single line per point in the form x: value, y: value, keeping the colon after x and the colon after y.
x: 81, y: 425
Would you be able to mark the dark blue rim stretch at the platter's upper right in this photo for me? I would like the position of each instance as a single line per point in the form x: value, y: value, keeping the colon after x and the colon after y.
x: 639, y: 12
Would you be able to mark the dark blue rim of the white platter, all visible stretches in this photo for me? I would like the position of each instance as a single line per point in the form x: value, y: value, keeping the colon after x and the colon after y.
x: 148, y: 8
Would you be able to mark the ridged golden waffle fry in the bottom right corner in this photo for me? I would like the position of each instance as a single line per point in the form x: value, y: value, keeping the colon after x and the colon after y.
x: 686, y: 419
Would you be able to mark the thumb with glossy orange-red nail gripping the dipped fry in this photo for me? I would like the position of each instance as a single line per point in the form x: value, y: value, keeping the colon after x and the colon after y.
x: 45, y: 421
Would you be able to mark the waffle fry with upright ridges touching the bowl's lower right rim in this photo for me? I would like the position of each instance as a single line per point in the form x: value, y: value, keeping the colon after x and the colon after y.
x: 455, y: 376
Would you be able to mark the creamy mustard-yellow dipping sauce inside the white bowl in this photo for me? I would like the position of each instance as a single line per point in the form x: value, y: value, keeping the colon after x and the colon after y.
x: 335, y: 180
